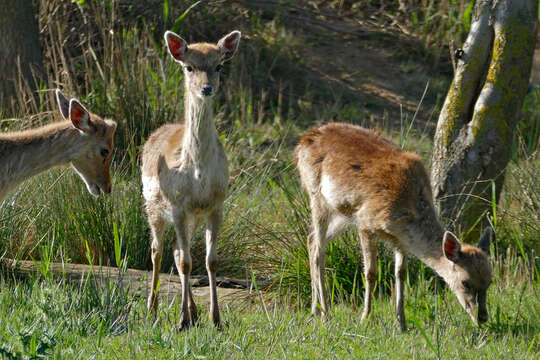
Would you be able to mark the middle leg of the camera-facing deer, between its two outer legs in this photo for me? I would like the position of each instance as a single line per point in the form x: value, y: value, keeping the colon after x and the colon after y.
x: 184, y: 227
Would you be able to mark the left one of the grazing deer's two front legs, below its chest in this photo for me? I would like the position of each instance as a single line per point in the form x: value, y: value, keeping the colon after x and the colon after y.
x: 369, y: 251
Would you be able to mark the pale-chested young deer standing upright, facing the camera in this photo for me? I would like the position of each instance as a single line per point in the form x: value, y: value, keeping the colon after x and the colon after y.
x: 184, y: 170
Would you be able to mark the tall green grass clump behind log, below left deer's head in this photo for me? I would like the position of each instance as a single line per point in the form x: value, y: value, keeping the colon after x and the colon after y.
x: 74, y: 220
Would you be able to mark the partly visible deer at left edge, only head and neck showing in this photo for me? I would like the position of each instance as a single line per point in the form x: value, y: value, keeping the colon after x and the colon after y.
x: 85, y: 141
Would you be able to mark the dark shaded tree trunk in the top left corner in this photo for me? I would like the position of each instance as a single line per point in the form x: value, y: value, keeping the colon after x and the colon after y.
x: 20, y: 51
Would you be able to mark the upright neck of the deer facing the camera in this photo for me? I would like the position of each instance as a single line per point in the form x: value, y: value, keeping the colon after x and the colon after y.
x: 200, y: 134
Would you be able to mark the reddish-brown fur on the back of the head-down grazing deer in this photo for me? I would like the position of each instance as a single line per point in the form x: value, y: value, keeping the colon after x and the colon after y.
x: 350, y: 152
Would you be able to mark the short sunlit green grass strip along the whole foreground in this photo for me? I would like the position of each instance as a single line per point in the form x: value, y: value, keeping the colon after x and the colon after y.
x: 56, y: 319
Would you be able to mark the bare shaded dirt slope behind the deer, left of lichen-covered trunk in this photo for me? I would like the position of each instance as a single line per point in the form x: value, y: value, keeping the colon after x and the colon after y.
x: 380, y: 70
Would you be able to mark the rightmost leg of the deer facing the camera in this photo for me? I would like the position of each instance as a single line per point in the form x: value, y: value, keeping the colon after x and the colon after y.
x: 212, y: 228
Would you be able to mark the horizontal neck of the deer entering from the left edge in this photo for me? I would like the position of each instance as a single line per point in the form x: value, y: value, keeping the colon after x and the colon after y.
x: 32, y: 152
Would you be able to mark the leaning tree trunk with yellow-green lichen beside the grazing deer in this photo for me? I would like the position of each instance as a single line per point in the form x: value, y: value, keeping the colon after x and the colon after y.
x: 476, y: 125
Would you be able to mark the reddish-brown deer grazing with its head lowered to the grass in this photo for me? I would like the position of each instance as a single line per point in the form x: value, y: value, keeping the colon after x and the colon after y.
x: 355, y: 177
